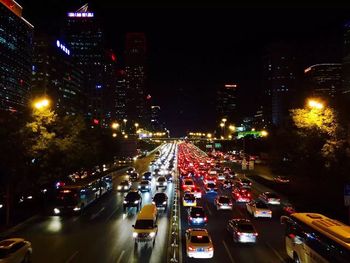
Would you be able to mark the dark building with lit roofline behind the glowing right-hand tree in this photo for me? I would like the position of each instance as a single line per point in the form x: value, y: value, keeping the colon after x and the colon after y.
x: 324, y: 80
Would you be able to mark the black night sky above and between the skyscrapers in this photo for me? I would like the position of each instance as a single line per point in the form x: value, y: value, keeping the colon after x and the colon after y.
x: 193, y: 49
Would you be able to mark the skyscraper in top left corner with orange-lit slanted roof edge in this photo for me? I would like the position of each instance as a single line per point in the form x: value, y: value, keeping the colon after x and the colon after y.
x: 15, y: 57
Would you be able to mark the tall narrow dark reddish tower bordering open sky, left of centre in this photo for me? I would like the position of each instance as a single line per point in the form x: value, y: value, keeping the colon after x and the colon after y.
x: 135, y: 63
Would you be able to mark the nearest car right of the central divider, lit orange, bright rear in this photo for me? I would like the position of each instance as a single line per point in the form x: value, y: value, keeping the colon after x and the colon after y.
x: 199, y: 243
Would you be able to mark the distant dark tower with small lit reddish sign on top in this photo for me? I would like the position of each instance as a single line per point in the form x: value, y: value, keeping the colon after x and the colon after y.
x: 227, y: 102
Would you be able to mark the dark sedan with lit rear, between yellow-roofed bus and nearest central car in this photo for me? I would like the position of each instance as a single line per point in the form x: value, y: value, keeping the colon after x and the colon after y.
x: 242, y: 230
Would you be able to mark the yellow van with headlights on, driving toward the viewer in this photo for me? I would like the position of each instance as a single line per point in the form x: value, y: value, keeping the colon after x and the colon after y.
x: 145, y: 228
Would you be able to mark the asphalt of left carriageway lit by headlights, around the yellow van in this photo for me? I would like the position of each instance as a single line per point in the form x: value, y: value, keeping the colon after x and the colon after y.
x: 102, y: 234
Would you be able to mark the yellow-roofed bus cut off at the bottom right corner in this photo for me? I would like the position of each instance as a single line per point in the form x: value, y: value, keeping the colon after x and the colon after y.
x: 311, y: 238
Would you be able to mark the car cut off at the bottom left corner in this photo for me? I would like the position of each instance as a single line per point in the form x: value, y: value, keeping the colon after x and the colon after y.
x: 15, y: 250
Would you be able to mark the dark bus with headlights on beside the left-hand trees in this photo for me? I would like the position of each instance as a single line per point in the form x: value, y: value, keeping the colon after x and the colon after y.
x: 75, y: 196
